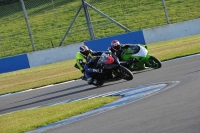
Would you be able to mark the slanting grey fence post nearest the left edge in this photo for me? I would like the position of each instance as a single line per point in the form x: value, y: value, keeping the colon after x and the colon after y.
x: 27, y: 23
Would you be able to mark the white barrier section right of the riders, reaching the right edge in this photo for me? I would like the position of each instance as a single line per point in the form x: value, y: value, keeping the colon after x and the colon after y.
x: 172, y: 31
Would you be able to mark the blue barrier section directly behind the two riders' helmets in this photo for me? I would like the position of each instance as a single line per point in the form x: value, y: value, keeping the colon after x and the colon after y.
x: 103, y: 43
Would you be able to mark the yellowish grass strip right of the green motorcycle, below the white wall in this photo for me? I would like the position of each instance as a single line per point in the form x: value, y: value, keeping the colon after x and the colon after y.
x: 176, y: 48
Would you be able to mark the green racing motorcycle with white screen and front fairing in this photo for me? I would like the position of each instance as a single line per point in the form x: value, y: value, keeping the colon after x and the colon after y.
x: 138, y: 58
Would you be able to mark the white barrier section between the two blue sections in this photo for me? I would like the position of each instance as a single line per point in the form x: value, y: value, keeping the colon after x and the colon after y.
x: 58, y: 54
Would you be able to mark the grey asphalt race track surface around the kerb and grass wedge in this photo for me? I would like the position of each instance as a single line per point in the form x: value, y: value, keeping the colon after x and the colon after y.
x: 176, y: 110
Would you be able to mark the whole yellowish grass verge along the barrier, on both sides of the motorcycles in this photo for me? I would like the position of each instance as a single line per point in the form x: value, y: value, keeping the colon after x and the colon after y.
x: 64, y: 71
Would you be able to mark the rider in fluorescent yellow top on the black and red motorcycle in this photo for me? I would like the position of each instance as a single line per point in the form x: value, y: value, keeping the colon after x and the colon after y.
x: 85, y: 62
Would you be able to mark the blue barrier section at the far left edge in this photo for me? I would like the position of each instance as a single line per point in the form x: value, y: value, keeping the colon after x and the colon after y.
x: 14, y: 63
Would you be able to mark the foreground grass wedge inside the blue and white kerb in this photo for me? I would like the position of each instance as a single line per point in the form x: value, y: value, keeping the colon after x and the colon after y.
x: 26, y: 120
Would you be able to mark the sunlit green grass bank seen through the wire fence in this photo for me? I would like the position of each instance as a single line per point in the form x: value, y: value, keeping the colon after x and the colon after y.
x: 50, y: 19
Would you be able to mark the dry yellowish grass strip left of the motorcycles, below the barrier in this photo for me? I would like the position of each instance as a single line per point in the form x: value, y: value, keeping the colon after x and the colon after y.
x: 37, y: 77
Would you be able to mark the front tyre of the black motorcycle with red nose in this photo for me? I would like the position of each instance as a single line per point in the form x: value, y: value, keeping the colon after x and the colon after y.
x: 125, y: 73
